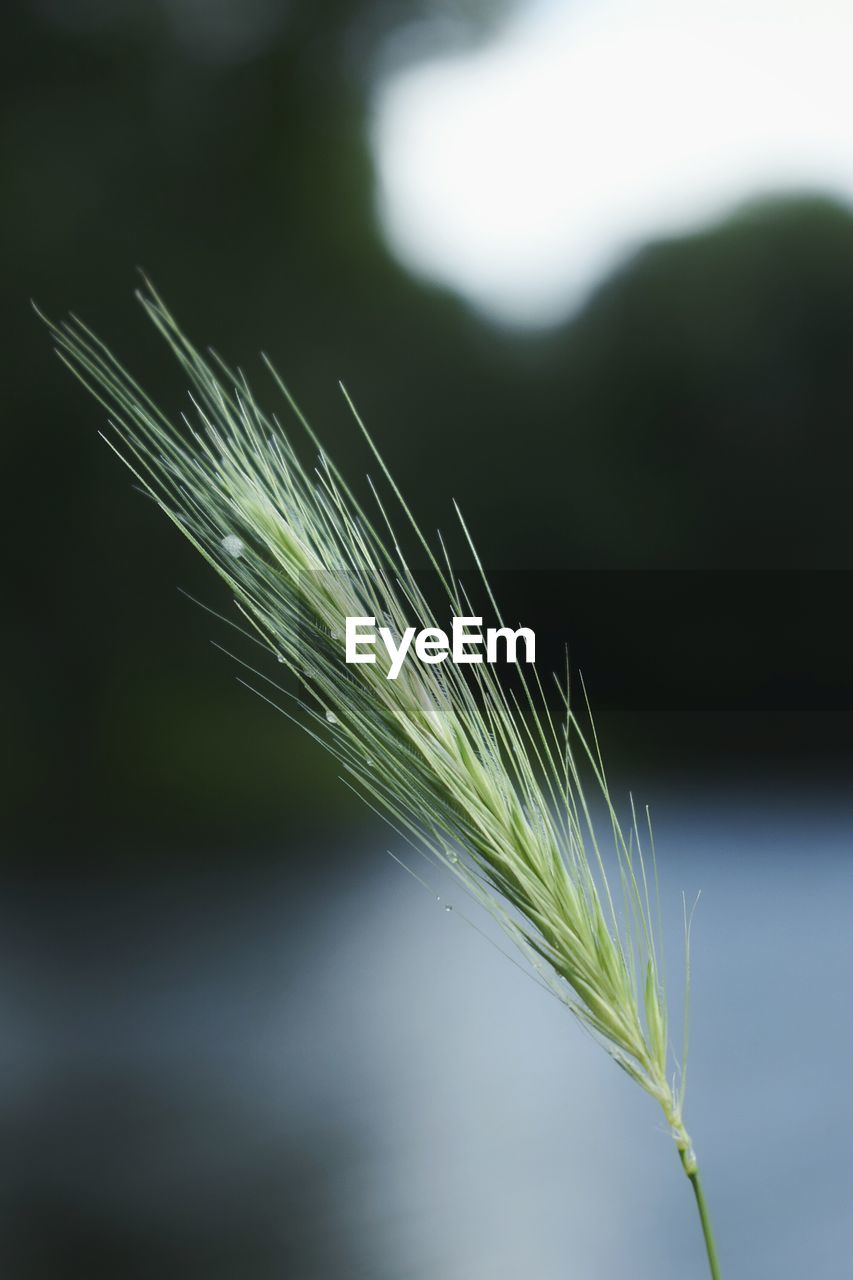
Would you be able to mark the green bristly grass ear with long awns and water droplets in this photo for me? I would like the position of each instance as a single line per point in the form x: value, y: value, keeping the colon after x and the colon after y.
x: 485, y: 780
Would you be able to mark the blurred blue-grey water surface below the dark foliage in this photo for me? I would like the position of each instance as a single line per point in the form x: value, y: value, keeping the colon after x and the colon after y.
x: 327, y: 1075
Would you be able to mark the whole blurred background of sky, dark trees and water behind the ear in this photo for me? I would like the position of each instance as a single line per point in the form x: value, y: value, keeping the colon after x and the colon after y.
x: 586, y: 267
